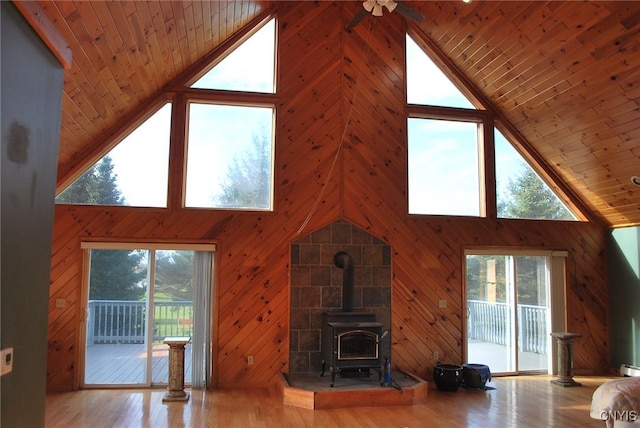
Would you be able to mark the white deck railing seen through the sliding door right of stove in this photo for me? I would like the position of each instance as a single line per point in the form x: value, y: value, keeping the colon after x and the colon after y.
x: 489, y: 322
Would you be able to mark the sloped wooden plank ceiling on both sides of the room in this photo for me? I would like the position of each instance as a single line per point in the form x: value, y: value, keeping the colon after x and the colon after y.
x: 565, y: 75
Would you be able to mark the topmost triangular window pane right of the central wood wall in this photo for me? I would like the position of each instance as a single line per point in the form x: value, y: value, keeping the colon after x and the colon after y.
x: 427, y: 84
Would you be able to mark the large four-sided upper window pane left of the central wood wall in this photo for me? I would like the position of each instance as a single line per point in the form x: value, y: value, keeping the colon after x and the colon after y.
x: 229, y: 157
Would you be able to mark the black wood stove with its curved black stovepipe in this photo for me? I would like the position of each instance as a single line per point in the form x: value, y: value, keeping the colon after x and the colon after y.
x: 351, y: 341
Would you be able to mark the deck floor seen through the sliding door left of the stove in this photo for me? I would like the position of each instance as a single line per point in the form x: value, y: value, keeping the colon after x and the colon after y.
x: 124, y: 364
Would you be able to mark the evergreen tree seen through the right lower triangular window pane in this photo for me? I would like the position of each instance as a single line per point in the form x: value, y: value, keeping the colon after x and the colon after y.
x: 528, y: 197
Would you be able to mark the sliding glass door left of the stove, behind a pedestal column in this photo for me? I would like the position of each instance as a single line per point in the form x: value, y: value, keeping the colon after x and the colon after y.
x: 138, y: 296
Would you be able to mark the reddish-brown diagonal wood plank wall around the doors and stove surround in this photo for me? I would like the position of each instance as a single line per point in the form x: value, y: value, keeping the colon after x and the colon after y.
x: 319, y: 68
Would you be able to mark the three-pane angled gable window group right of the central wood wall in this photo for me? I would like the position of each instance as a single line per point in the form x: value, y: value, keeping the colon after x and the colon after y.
x: 446, y: 154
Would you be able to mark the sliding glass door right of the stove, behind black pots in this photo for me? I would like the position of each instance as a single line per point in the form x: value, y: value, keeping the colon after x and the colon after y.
x: 508, y: 311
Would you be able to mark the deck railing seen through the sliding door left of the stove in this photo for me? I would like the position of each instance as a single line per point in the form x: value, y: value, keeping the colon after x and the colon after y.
x: 124, y: 321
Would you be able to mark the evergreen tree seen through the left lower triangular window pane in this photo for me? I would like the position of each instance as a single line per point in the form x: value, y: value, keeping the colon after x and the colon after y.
x: 96, y: 187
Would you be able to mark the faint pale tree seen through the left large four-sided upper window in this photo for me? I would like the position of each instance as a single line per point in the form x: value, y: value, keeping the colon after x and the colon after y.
x: 247, y: 184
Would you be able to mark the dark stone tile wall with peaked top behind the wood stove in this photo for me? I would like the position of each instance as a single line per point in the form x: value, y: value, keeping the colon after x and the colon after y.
x: 316, y: 286
